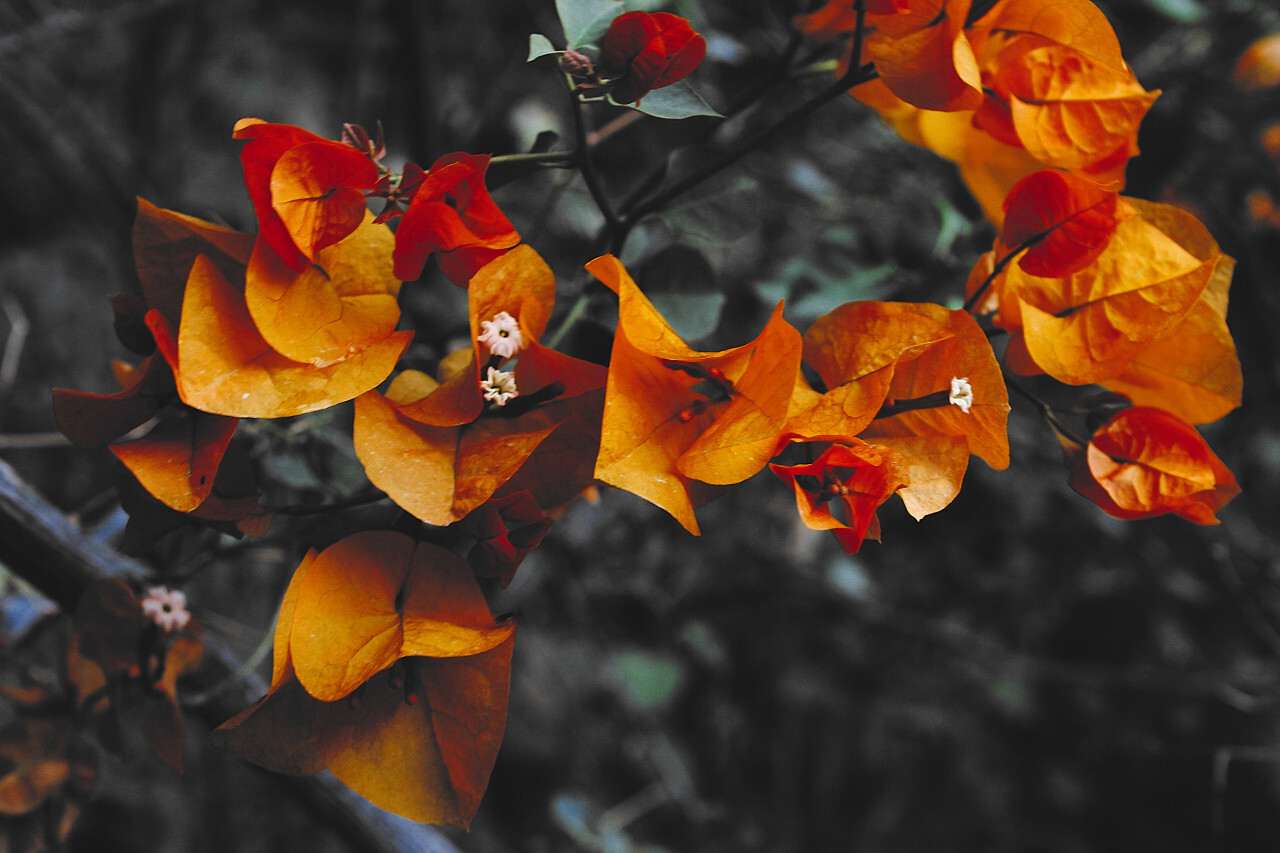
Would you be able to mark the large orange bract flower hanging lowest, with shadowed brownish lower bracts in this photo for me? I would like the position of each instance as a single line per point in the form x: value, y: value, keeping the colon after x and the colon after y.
x: 419, y: 737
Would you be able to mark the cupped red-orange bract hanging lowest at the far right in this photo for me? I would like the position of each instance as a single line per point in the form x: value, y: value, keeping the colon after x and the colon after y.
x: 1146, y: 462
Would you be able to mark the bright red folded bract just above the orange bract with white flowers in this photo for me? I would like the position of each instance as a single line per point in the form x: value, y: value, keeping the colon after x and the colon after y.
x: 452, y: 216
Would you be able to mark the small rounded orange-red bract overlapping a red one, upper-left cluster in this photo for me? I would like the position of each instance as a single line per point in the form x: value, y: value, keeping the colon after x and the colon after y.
x: 318, y: 193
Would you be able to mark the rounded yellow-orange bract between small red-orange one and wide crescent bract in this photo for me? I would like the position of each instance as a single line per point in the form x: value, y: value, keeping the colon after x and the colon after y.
x: 342, y: 304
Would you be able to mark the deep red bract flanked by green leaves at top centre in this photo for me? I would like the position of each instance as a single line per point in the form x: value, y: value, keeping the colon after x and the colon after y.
x: 643, y: 52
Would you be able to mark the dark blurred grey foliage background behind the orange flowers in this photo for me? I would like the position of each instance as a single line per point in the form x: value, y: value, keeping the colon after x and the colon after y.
x: 1018, y: 673
